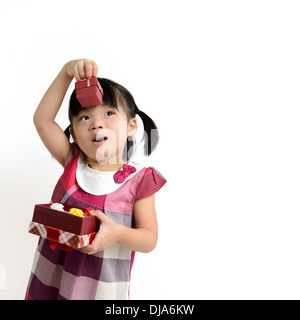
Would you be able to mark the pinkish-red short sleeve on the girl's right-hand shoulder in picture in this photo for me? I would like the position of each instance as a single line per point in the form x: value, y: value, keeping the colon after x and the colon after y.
x: 151, y: 182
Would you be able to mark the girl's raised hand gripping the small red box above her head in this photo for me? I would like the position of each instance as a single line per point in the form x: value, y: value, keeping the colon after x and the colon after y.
x: 81, y: 68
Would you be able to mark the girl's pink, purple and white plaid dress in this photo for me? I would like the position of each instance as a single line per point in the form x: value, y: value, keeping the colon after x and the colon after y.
x: 58, y: 274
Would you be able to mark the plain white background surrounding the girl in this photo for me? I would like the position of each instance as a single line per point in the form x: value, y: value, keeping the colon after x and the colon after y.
x: 221, y: 79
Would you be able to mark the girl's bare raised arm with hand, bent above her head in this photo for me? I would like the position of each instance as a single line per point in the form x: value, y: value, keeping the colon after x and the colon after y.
x: 49, y: 131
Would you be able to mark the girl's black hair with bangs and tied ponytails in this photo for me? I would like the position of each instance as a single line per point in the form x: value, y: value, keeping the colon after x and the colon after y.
x: 112, y: 94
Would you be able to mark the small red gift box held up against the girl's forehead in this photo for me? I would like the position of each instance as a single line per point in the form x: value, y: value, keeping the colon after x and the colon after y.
x: 89, y: 92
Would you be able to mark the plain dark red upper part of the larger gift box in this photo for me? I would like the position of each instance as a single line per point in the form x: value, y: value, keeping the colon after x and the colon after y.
x: 63, y: 220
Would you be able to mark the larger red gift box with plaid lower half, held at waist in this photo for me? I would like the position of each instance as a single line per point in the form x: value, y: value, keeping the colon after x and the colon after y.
x: 62, y: 228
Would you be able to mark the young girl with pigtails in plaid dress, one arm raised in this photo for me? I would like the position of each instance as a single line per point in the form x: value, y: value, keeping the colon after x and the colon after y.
x: 98, y: 174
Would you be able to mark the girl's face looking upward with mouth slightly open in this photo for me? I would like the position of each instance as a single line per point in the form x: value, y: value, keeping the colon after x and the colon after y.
x: 101, y: 133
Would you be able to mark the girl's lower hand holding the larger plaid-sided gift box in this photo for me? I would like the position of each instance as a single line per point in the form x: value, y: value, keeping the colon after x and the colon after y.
x: 107, y: 234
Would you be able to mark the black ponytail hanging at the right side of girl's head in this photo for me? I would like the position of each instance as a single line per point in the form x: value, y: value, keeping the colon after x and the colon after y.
x: 150, y: 136
